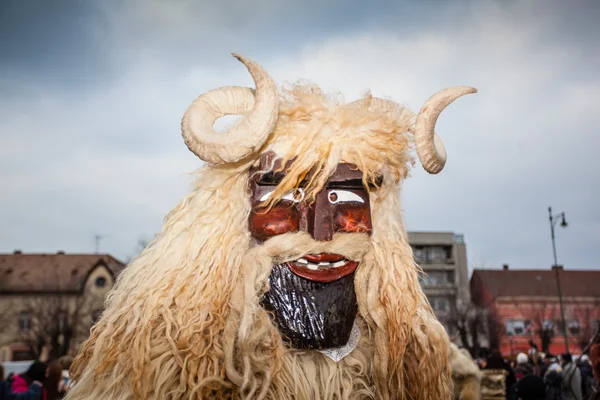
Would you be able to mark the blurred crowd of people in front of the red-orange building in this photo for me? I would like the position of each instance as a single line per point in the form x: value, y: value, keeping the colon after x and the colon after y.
x: 538, y: 376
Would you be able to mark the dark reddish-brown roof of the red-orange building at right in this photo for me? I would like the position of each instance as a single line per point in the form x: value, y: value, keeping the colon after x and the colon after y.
x: 512, y: 283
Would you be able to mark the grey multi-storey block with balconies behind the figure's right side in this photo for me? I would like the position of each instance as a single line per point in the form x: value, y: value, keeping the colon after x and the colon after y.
x: 443, y: 258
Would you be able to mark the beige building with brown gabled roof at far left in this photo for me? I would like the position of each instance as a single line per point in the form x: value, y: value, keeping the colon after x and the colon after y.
x: 48, y: 302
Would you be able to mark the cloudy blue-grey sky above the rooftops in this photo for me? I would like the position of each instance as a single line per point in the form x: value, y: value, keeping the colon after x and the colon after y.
x: 92, y: 93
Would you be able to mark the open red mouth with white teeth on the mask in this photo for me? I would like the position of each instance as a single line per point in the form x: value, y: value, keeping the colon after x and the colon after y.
x: 323, y: 267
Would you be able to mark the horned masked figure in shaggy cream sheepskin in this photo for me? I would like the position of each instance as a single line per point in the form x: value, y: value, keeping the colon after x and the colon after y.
x: 286, y: 272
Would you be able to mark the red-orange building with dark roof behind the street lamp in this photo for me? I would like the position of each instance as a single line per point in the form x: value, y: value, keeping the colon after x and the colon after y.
x: 524, y: 306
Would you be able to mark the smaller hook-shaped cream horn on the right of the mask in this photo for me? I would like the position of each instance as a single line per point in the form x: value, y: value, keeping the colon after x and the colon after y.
x: 430, y: 148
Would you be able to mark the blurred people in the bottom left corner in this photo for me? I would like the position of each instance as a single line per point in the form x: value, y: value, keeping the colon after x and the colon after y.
x: 41, y: 381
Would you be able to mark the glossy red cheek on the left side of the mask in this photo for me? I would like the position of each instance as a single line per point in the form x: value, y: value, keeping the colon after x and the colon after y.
x: 276, y: 221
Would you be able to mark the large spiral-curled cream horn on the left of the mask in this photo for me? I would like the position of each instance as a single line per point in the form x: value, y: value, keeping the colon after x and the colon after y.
x: 244, y: 137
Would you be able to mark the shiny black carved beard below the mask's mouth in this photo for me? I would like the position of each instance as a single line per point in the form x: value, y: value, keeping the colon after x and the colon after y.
x: 311, y: 315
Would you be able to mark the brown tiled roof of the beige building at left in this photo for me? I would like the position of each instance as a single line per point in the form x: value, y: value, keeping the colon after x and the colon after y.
x: 50, y: 272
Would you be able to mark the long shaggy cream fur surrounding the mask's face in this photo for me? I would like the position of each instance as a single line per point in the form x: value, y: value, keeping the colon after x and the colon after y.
x: 184, y: 321
